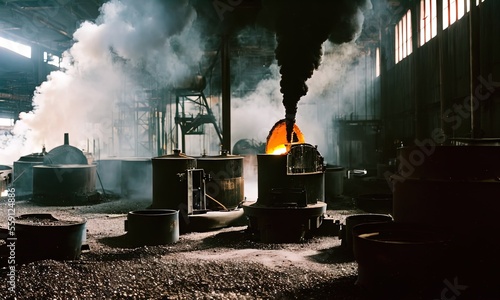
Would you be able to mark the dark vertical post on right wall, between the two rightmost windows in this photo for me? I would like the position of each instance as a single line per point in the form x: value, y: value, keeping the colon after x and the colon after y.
x: 475, y: 69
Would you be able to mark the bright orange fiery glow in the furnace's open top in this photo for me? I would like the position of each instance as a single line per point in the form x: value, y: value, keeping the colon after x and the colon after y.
x: 276, y: 140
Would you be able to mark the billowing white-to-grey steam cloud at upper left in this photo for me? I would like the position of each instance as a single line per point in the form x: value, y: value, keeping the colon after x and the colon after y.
x: 130, y: 41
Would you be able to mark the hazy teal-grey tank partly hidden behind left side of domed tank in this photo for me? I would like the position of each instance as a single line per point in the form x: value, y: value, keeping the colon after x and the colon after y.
x: 23, y: 174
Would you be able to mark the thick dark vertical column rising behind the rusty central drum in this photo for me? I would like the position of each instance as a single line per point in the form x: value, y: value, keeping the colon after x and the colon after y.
x: 226, y: 94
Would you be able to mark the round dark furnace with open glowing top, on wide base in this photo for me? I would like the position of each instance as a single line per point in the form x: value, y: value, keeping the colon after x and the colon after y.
x: 290, y: 204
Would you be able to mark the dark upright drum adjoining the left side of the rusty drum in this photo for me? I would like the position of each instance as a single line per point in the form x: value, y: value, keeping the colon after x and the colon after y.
x: 169, y: 188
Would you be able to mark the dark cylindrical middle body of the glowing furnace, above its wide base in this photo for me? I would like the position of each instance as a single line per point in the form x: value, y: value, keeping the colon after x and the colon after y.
x: 273, y: 180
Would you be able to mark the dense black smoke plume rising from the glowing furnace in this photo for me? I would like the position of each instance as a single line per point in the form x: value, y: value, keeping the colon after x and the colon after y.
x: 301, y: 28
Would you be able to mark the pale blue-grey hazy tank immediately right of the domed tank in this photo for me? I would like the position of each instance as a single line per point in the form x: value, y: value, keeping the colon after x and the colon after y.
x: 109, y: 172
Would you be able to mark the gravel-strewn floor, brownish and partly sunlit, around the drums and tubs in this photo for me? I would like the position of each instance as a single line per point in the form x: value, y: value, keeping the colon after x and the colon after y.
x: 221, y: 264
